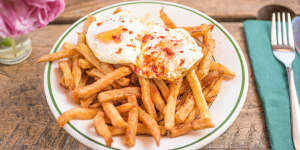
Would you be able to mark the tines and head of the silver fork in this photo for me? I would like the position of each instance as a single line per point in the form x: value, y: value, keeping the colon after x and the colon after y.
x: 282, y: 39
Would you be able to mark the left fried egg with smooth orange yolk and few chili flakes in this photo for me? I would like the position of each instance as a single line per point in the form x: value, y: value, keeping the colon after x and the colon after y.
x: 121, y: 46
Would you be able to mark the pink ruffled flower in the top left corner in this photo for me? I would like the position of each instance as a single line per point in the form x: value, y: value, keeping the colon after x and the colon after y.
x: 22, y: 16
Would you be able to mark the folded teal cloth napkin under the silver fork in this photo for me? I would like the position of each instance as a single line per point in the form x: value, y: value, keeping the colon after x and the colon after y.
x: 271, y: 82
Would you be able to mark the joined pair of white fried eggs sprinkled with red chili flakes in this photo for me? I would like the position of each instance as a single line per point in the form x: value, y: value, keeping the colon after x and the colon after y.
x: 156, y: 51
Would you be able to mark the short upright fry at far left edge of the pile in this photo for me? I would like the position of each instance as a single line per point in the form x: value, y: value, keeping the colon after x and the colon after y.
x: 67, y: 75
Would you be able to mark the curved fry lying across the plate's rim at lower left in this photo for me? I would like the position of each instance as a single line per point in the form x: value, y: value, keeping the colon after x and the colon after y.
x: 76, y: 114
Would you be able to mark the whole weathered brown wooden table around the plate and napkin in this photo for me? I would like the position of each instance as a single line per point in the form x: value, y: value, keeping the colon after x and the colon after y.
x: 26, y: 120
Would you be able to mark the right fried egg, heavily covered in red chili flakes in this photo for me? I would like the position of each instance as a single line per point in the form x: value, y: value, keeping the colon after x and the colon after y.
x: 167, y: 53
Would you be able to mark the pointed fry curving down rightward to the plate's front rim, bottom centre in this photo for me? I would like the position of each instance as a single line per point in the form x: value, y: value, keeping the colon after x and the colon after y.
x: 150, y: 123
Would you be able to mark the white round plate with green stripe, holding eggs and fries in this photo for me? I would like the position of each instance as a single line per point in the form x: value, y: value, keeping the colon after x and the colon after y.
x: 224, y: 110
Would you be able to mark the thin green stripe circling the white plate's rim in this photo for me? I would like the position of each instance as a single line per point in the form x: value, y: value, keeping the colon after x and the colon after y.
x: 161, y: 3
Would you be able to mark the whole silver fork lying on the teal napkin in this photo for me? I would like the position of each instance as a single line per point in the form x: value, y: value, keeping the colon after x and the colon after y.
x: 284, y: 50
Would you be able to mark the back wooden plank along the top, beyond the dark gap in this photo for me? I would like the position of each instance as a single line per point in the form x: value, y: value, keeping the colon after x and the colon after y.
x: 218, y: 9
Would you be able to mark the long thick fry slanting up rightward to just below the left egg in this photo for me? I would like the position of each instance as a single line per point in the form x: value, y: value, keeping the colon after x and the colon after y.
x: 89, y: 90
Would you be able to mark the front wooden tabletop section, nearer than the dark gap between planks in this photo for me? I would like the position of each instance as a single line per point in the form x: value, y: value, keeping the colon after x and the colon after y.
x: 27, y: 123
